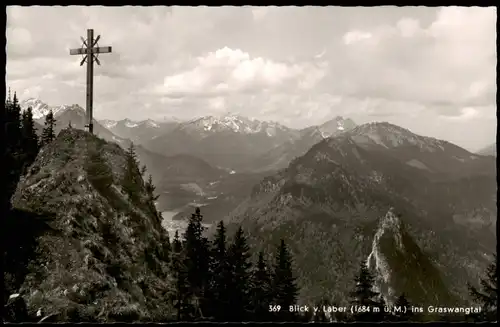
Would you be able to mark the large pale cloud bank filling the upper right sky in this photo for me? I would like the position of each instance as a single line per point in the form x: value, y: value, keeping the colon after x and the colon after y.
x: 449, y: 61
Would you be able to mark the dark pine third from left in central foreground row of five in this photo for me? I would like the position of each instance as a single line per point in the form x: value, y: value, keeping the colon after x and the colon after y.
x: 239, y: 261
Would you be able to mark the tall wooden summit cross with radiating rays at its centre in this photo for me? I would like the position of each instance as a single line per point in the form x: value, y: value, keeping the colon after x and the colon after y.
x: 91, y: 53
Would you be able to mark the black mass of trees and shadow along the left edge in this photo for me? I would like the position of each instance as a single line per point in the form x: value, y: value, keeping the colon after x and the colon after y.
x: 19, y: 227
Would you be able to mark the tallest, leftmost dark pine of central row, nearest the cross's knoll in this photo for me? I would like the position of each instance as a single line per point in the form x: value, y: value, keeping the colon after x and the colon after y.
x: 197, y: 261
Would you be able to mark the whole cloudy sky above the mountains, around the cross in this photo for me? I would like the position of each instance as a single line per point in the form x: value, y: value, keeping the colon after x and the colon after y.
x: 429, y: 69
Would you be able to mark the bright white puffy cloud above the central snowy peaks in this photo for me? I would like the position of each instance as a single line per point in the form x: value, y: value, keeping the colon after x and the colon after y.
x: 227, y: 71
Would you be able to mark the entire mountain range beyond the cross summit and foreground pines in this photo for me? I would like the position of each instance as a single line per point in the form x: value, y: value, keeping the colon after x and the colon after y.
x: 420, y: 211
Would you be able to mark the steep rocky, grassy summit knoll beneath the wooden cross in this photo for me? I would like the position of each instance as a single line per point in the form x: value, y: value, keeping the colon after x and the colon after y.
x: 108, y: 257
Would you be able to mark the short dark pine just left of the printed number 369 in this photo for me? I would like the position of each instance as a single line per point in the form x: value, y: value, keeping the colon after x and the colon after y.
x: 261, y: 295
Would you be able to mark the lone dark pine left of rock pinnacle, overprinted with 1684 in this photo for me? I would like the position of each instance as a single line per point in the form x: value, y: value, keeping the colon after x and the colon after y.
x: 364, y: 296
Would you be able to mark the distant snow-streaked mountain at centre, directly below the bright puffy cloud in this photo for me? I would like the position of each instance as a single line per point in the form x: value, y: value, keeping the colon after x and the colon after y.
x: 230, y: 141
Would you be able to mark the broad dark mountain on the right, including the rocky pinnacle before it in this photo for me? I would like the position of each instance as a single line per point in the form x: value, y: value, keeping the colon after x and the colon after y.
x: 331, y: 206
